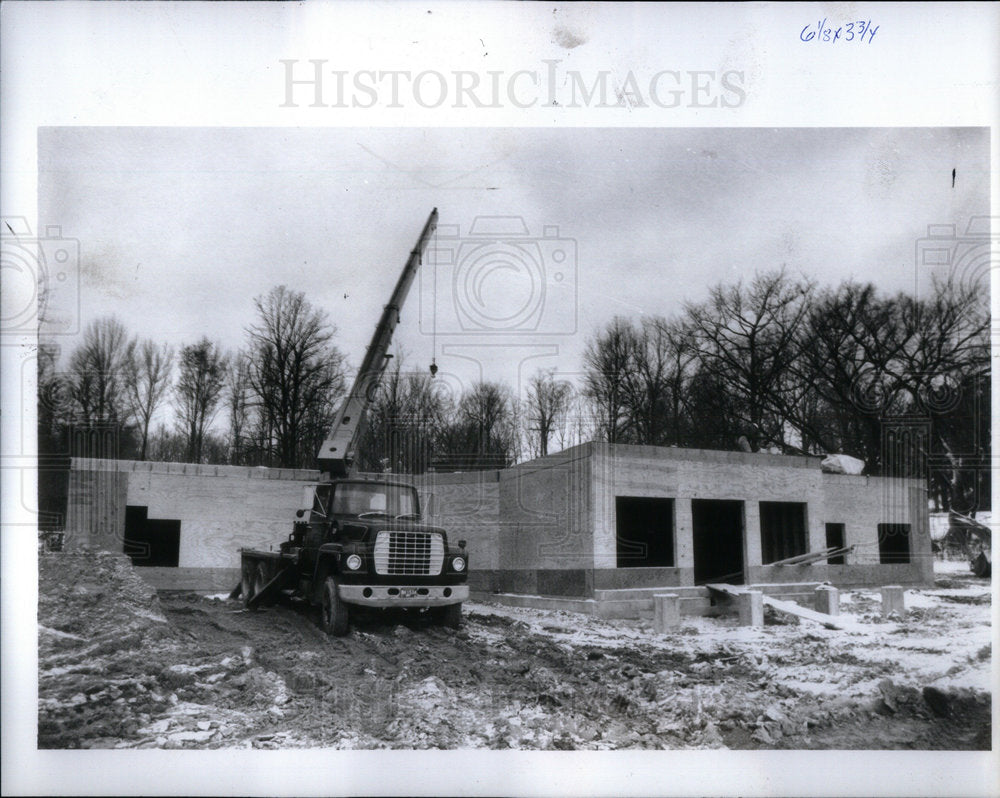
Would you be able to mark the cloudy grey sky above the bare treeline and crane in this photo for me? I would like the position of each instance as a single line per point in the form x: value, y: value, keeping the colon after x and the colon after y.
x: 181, y: 228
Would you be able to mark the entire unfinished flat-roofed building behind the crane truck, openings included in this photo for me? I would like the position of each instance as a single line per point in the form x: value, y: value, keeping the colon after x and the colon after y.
x: 596, y: 528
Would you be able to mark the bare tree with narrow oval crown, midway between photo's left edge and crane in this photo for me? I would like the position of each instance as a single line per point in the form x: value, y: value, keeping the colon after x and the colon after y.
x: 197, y: 393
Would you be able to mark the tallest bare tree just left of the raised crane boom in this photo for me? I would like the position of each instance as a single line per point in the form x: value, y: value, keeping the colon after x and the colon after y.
x: 295, y: 372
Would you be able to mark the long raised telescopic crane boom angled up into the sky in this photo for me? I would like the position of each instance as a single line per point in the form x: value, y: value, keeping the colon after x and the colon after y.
x: 336, y: 456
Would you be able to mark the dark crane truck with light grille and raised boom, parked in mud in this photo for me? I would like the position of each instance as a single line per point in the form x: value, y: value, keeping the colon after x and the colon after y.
x: 359, y: 542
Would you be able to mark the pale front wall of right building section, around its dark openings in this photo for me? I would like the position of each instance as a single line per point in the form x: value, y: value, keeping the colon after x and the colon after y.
x: 861, y: 503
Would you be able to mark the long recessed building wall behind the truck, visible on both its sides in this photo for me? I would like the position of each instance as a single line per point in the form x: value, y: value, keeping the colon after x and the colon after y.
x: 225, y: 508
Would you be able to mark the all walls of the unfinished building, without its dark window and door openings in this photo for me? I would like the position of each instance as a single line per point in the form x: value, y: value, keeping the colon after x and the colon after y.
x: 544, y: 527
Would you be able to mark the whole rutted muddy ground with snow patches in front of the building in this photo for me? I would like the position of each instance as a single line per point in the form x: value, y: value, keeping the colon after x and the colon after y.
x: 121, y: 667
